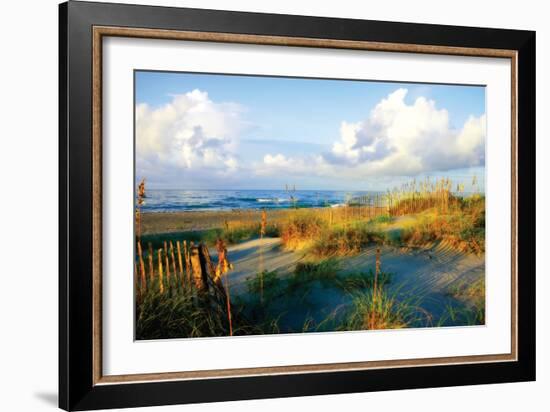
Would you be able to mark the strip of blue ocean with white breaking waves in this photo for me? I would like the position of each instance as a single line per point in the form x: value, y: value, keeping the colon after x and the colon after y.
x: 186, y: 200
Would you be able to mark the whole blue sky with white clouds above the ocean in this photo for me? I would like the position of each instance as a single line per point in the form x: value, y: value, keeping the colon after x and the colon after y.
x: 258, y: 132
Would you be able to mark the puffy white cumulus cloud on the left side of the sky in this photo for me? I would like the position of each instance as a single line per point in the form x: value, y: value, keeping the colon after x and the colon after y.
x: 191, y: 133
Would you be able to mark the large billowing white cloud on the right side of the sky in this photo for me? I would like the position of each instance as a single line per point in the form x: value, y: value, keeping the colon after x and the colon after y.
x: 404, y: 139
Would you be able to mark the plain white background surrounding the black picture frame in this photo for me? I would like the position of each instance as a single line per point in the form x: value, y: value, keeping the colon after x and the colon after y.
x: 28, y: 203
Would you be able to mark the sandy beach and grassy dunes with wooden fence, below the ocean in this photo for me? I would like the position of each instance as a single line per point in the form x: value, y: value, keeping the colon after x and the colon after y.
x: 412, y: 257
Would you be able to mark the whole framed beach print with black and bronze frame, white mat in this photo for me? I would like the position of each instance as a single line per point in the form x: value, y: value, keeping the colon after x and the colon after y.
x: 256, y: 205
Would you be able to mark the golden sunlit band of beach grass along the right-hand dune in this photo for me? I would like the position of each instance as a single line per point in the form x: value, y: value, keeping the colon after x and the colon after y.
x: 462, y: 228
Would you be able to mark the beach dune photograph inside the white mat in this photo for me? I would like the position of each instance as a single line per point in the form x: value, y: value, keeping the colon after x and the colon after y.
x: 277, y: 205
